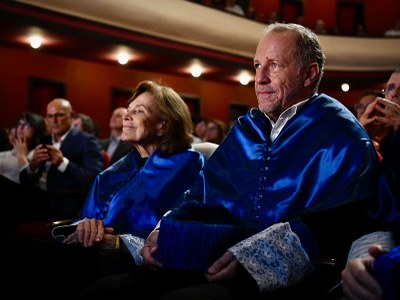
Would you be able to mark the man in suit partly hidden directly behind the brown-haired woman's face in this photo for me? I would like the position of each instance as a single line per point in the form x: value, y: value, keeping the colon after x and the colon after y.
x: 113, y: 145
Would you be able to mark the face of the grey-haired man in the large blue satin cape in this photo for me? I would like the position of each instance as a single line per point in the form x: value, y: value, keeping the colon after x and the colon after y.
x: 279, y: 83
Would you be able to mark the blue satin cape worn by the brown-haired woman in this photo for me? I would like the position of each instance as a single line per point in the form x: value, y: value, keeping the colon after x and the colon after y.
x: 132, y: 199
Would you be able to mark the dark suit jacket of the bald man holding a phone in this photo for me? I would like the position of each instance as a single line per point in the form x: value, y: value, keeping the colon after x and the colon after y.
x: 67, y: 190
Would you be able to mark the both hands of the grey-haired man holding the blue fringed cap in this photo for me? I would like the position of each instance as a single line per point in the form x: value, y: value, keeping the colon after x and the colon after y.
x: 224, y: 268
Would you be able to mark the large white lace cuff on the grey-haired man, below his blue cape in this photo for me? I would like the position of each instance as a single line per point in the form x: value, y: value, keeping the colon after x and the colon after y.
x: 273, y: 257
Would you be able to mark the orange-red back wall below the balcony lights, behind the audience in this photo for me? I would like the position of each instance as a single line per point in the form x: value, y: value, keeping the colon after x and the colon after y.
x: 89, y: 85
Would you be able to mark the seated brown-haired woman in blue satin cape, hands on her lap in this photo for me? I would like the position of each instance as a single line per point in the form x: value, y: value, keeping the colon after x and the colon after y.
x: 130, y: 196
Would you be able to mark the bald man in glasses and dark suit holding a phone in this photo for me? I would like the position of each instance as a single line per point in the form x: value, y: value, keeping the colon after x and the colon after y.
x: 66, y: 168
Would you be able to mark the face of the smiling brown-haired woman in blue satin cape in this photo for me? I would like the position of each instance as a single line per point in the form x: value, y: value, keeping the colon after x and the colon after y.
x: 142, y: 123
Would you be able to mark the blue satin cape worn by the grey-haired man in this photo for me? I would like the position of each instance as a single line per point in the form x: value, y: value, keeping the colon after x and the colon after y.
x: 322, y: 158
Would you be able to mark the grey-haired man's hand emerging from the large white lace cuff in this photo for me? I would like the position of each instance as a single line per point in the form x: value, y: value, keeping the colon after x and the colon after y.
x: 224, y: 268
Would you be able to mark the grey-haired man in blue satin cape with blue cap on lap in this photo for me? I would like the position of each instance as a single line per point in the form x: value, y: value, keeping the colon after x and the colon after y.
x: 294, y: 174
